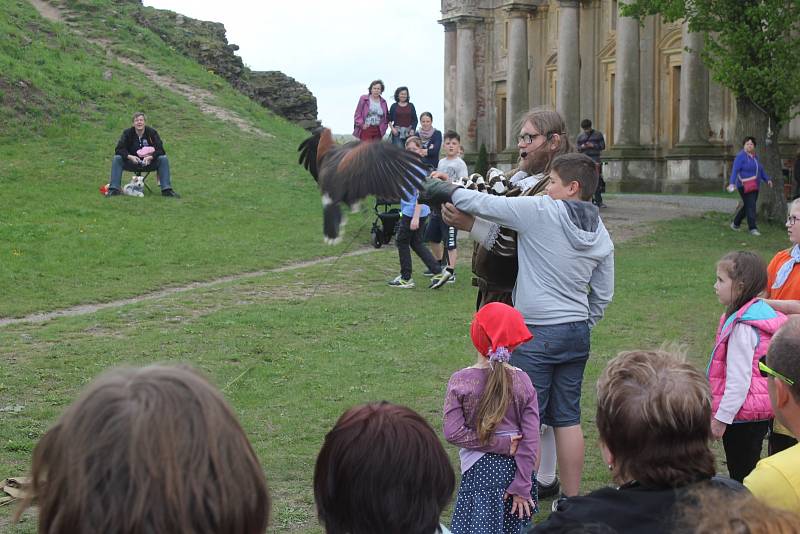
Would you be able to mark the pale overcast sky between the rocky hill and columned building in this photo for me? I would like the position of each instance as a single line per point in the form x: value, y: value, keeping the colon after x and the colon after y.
x: 337, y: 48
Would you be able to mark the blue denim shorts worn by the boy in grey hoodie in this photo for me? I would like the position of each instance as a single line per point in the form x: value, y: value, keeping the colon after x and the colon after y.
x: 554, y: 360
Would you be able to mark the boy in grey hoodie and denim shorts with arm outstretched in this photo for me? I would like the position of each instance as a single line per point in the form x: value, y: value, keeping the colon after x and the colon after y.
x: 564, y: 283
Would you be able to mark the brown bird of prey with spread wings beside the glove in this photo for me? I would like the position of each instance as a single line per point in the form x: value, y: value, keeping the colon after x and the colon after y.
x: 347, y: 173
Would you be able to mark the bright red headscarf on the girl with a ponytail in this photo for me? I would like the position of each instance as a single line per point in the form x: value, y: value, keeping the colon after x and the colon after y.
x: 498, y: 326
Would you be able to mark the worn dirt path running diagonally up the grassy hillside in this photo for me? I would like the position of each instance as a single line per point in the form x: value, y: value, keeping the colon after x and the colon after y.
x: 200, y: 97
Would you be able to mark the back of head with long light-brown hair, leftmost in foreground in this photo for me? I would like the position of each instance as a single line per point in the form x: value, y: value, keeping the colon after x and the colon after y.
x: 148, y: 450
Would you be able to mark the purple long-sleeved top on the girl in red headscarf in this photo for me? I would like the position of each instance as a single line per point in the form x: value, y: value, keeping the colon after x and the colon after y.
x: 461, y: 407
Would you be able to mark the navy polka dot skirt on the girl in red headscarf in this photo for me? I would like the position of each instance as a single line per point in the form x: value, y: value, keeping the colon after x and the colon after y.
x: 480, y: 508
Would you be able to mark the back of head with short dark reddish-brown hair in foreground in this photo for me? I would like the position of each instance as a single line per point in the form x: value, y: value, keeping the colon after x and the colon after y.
x: 382, y: 469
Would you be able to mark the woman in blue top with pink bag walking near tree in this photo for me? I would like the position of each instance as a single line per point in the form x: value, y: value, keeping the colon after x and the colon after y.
x: 746, y: 176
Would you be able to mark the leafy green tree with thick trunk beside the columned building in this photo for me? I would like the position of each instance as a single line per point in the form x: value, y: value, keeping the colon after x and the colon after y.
x: 752, y: 47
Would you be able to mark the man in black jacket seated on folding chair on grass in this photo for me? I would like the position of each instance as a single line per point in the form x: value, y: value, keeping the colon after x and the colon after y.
x: 130, y: 156
